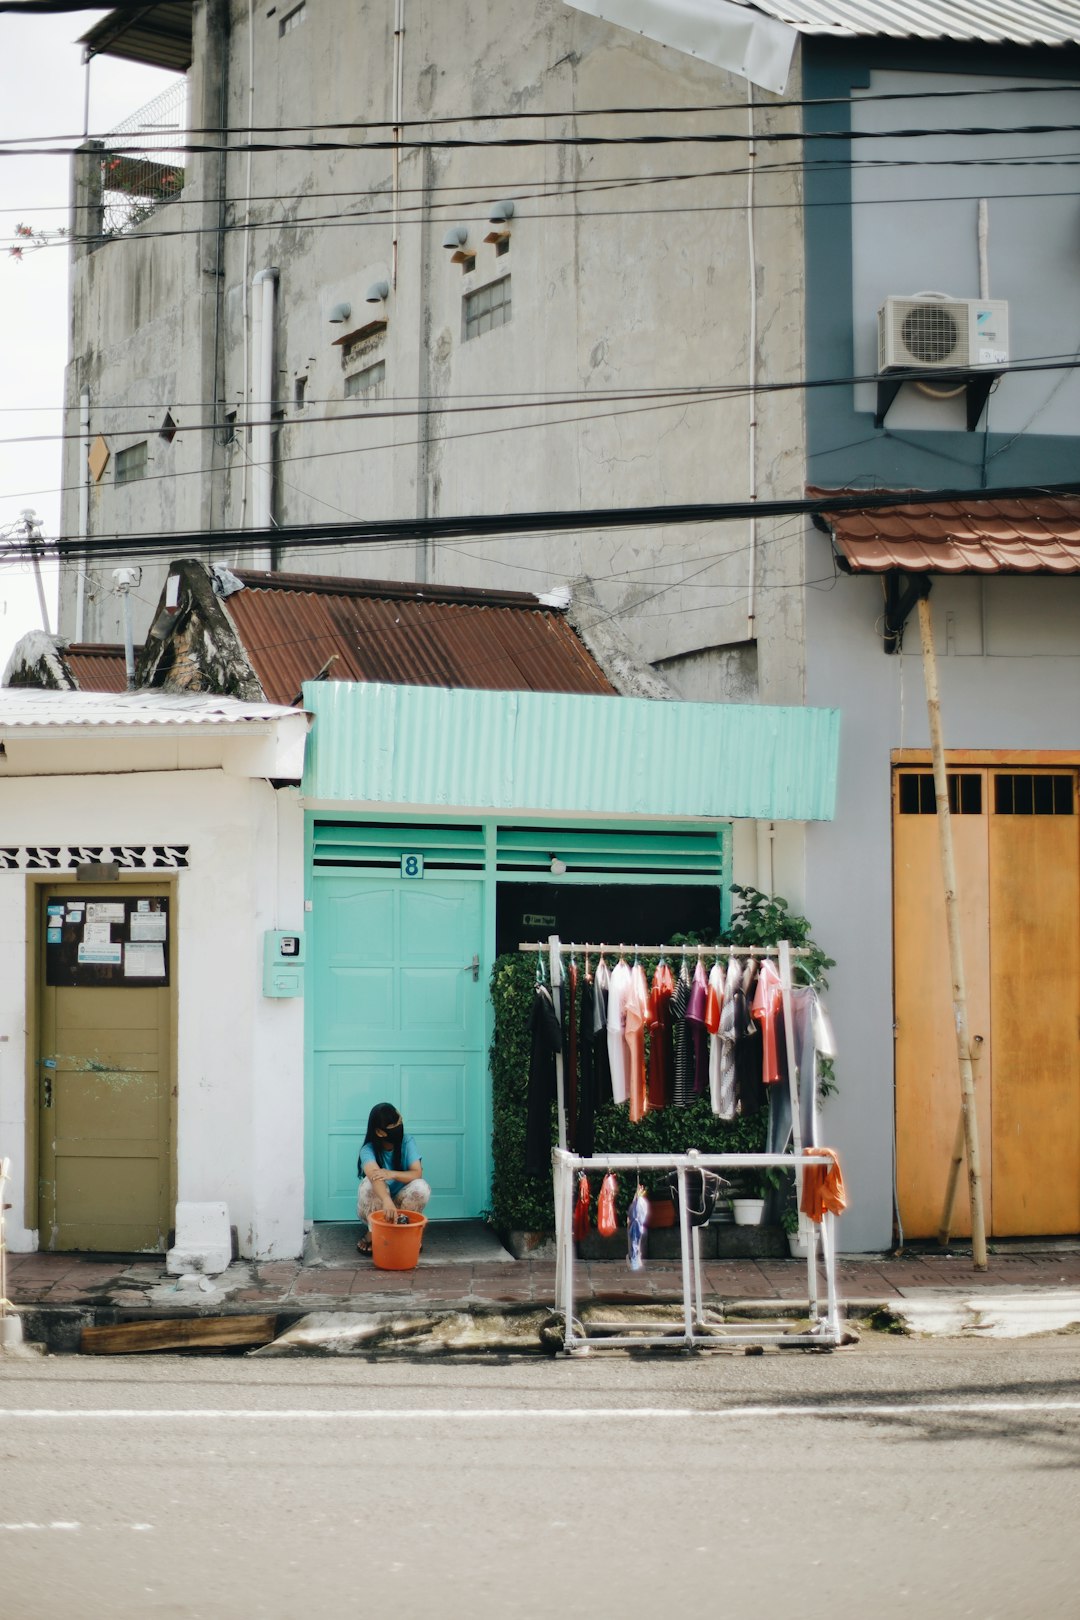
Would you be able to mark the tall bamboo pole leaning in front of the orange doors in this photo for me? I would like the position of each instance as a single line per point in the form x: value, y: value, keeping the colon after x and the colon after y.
x: 956, y: 950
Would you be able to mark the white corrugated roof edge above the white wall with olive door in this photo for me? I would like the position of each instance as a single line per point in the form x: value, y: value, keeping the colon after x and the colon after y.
x: 27, y: 709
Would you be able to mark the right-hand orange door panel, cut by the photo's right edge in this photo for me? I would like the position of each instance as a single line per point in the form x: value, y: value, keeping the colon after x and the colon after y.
x: 1035, y: 999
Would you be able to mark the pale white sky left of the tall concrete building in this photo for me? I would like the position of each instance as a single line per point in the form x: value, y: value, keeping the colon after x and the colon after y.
x: 43, y: 95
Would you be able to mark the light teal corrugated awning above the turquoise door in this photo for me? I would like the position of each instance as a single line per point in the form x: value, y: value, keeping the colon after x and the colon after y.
x: 571, y: 756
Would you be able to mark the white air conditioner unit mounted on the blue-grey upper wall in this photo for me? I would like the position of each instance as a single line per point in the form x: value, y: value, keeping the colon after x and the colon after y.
x: 929, y: 333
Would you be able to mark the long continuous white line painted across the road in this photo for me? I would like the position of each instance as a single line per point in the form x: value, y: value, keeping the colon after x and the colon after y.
x: 501, y: 1415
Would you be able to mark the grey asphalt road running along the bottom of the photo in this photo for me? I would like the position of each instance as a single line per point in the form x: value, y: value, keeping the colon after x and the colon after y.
x: 932, y: 1480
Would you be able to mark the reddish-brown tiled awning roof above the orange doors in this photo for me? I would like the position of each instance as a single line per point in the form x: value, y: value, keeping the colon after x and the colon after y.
x: 1032, y: 535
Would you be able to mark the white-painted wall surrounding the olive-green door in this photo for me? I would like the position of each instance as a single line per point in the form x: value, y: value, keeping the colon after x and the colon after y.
x: 240, y: 1057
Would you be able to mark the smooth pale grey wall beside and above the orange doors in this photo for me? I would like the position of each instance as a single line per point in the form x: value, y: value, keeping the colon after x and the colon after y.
x: 1010, y: 670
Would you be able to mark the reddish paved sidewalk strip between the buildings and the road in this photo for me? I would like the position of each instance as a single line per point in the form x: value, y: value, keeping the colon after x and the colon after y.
x: 54, y: 1281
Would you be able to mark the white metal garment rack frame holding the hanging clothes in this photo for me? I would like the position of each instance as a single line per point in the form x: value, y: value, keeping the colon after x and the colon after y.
x: 695, y: 1329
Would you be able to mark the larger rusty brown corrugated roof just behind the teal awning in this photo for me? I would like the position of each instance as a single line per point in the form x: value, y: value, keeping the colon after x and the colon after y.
x: 302, y: 628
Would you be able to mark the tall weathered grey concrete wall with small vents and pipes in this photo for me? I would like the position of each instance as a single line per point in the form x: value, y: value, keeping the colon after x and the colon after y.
x: 618, y: 291
